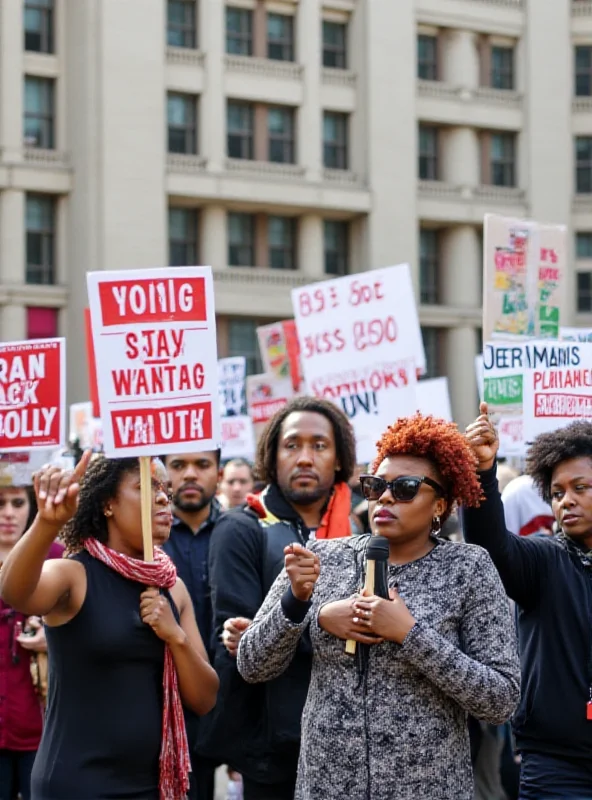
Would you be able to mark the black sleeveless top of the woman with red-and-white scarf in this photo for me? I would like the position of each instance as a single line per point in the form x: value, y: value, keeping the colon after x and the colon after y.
x: 102, y: 732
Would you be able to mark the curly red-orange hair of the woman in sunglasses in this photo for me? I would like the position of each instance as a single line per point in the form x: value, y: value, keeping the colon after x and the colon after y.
x: 445, y: 446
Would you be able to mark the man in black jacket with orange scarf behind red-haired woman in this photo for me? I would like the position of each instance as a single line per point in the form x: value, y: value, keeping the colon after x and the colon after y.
x: 306, y: 457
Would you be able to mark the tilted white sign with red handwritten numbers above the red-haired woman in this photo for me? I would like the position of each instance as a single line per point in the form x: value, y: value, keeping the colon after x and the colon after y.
x: 361, y: 347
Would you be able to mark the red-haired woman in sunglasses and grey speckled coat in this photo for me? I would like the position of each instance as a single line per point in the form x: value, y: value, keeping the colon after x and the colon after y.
x: 443, y: 646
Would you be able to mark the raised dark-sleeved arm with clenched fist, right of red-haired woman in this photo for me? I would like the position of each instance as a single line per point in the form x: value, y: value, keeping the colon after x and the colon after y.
x: 517, y: 560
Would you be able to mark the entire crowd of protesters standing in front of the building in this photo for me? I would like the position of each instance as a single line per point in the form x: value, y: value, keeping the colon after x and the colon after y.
x: 234, y: 647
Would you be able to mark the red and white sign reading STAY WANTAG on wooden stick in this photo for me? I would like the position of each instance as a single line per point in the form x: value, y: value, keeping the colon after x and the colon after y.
x: 154, y: 334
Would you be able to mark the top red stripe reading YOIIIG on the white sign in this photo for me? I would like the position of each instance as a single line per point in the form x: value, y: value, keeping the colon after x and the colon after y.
x: 150, y: 300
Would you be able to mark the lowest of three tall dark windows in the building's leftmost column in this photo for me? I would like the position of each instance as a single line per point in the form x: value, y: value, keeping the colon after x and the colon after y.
x: 40, y: 239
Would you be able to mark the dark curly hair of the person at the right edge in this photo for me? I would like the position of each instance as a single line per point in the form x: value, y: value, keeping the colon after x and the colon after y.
x: 549, y: 449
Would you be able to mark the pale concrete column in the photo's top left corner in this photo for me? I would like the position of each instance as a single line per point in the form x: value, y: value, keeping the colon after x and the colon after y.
x: 11, y: 79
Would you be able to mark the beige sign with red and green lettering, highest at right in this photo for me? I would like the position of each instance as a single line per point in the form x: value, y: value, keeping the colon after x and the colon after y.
x: 524, y: 278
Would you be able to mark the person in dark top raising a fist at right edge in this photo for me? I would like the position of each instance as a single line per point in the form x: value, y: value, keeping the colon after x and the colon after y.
x: 551, y: 582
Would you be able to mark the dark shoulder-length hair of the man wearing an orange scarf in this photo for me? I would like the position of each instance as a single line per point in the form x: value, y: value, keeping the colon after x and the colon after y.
x: 345, y: 443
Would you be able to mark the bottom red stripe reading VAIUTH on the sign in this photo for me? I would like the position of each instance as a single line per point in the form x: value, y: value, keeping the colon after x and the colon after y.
x: 137, y: 427
